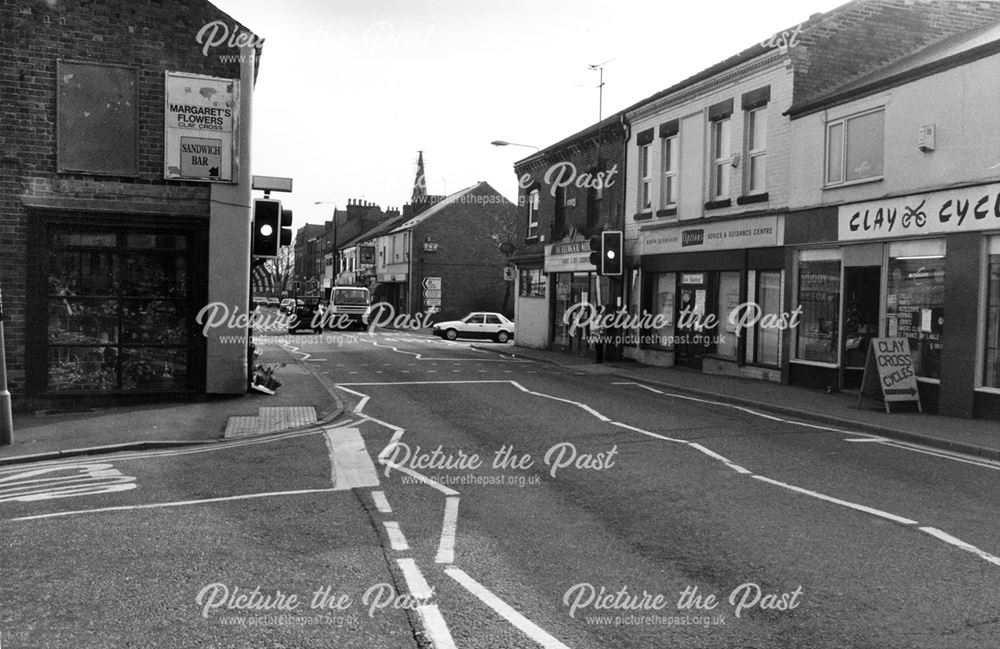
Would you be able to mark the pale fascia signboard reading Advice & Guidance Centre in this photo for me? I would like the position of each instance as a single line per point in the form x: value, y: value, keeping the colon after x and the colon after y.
x: 756, y: 232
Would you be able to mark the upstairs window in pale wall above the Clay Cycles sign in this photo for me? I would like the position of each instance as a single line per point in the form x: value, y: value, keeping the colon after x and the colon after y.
x: 854, y: 148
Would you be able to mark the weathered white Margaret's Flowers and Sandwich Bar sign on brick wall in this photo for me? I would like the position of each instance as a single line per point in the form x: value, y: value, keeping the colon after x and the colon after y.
x: 201, y: 120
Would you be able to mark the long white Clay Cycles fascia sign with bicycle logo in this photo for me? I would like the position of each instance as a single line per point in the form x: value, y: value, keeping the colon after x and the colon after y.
x: 959, y: 210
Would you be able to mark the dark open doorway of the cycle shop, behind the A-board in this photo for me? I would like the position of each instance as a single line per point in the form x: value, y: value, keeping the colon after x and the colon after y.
x: 862, y: 296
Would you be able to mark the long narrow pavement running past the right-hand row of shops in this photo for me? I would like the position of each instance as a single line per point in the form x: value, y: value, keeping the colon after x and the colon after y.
x: 980, y: 437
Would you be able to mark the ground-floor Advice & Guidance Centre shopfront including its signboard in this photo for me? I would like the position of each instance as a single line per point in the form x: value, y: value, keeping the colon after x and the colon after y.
x: 695, y: 276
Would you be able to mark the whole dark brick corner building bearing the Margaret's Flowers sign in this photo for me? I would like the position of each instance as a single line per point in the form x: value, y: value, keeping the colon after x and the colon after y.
x: 124, y: 163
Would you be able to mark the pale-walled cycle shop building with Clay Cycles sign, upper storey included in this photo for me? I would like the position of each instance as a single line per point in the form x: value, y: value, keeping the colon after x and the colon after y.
x: 895, y: 230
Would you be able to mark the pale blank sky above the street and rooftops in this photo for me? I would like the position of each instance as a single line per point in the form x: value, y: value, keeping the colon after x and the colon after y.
x: 349, y: 90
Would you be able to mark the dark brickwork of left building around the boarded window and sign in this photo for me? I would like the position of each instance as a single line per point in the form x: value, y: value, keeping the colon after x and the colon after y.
x: 152, y: 37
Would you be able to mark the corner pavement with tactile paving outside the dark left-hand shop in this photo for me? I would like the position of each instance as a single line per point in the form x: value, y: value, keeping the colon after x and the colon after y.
x: 42, y: 436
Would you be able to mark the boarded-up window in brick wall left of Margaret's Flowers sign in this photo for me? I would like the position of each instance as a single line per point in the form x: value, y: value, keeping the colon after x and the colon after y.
x: 97, y: 125
